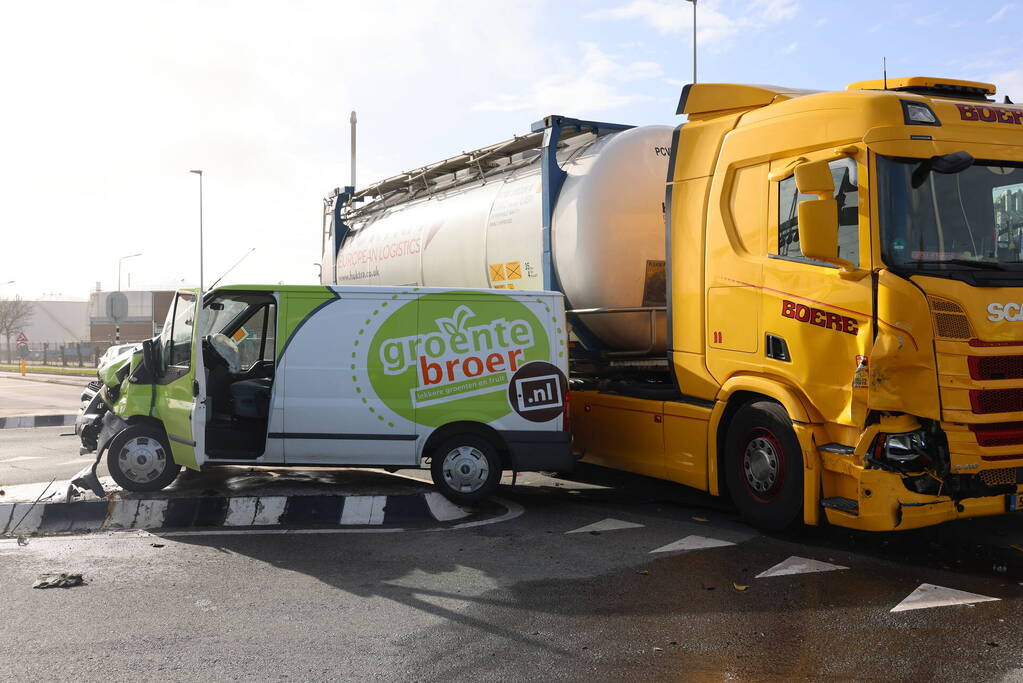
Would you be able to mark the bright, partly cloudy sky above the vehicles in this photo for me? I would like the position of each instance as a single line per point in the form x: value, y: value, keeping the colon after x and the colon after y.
x: 107, y: 106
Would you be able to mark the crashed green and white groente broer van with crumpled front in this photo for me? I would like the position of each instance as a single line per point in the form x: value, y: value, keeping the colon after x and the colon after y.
x: 304, y: 377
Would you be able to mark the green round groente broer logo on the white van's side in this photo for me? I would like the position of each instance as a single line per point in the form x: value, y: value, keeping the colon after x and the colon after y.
x: 450, y: 356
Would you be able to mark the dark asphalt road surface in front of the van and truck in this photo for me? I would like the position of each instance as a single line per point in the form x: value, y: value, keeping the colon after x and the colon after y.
x: 522, y: 600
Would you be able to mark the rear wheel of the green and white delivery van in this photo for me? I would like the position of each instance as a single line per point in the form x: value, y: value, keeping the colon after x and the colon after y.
x: 467, y: 469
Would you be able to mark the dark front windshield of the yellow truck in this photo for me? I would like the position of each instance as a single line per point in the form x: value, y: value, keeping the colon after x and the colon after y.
x: 968, y: 220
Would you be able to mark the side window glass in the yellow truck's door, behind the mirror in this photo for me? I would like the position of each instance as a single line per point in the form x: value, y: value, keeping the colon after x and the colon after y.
x: 848, y: 196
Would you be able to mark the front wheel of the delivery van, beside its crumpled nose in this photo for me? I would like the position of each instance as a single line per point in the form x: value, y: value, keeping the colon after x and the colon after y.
x: 140, y: 460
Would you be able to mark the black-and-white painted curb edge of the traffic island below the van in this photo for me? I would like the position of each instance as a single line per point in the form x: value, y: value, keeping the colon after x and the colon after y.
x: 428, y: 508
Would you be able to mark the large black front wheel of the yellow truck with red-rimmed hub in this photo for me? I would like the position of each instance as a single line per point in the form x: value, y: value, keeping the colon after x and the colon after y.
x: 765, y: 466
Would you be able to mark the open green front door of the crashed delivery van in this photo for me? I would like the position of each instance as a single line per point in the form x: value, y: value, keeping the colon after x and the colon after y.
x: 181, y: 400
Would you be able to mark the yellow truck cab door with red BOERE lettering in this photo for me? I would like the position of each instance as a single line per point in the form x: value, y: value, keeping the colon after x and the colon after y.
x: 818, y: 321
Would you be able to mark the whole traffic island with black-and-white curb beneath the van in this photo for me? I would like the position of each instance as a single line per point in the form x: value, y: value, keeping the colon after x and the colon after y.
x: 234, y: 498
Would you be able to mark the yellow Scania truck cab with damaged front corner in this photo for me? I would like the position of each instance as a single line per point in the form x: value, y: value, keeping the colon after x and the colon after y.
x: 846, y: 307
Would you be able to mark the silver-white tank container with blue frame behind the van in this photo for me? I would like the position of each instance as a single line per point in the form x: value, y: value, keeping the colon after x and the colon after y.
x: 574, y: 206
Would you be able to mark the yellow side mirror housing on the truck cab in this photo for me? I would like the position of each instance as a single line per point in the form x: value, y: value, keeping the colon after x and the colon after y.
x: 819, y: 219
